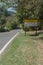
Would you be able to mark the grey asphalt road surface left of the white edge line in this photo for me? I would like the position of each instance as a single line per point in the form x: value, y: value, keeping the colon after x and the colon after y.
x: 6, y: 36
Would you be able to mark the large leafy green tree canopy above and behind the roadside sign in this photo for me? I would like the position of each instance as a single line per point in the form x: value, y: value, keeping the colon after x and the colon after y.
x: 30, y: 9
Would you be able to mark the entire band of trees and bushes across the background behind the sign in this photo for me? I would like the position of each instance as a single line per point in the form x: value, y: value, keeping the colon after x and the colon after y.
x: 26, y: 10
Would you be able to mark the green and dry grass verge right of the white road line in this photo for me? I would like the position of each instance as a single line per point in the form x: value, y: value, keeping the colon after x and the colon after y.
x: 23, y: 51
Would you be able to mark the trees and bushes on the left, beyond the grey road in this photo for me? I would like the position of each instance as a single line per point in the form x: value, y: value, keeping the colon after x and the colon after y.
x: 8, y: 20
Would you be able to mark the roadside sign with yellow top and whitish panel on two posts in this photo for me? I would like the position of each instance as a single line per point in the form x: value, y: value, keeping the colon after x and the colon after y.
x: 31, y: 23
